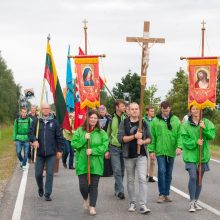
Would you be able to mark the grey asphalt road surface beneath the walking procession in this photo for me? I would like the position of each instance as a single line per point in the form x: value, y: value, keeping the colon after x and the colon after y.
x: 67, y: 201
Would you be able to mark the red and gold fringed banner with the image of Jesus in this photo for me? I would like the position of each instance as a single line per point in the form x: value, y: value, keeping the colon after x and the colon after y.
x: 202, y: 81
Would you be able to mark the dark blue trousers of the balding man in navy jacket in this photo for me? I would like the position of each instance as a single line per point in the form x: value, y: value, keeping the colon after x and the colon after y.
x: 39, y: 167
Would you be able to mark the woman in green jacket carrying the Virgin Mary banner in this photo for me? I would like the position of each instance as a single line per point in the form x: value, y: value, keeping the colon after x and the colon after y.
x: 98, y: 146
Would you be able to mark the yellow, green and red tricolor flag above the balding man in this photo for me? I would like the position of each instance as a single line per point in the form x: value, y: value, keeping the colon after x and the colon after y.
x: 50, y: 74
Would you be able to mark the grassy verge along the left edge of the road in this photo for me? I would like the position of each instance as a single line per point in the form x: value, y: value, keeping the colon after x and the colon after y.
x: 7, y: 156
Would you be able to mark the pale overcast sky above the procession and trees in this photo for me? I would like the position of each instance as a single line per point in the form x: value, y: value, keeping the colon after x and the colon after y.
x: 25, y: 24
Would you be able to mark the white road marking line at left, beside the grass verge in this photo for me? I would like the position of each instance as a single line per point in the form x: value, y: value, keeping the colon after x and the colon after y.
x: 20, y: 197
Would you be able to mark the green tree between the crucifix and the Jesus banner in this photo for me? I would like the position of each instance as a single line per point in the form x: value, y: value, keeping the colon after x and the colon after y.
x: 178, y: 95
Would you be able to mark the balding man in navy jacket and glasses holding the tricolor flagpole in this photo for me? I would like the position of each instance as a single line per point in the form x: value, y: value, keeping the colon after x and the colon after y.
x: 49, y: 142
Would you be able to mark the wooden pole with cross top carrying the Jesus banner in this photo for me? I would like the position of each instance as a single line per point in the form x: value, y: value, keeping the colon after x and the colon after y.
x: 201, y: 113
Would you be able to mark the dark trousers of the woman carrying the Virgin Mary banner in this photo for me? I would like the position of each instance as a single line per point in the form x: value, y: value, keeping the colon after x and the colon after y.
x: 89, y: 190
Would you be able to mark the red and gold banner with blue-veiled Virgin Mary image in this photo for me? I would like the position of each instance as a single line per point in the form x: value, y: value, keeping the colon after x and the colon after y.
x: 87, y: 69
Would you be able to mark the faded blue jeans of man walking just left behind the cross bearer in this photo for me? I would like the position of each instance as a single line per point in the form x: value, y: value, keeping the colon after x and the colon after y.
x: 118, y: 168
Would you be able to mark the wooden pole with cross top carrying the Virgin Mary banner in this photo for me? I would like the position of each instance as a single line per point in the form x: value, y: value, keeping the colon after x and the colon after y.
x: 87, y: 109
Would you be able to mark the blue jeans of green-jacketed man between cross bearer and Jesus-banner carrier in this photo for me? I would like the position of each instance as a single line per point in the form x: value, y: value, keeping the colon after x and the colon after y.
x: 165, y: 169
